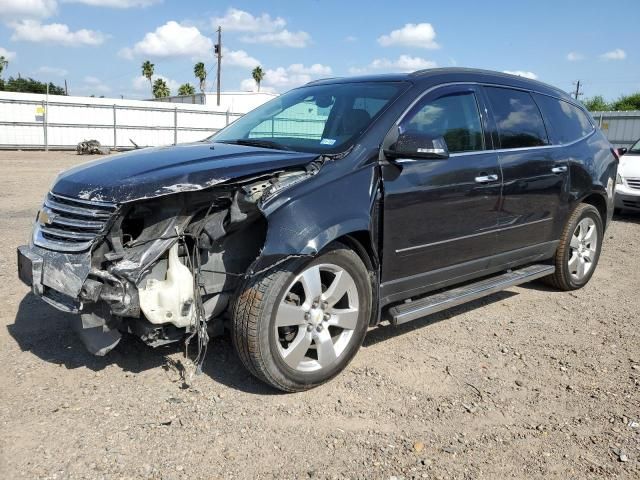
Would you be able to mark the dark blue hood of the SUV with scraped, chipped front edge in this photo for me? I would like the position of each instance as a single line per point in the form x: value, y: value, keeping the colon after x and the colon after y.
x: 153, y: 172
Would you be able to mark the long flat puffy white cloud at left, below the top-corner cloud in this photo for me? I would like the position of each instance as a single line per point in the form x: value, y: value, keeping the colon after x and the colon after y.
x: 34, y: 31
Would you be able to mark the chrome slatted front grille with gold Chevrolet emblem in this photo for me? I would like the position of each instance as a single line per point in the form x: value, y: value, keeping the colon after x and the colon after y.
x: 70, y: 224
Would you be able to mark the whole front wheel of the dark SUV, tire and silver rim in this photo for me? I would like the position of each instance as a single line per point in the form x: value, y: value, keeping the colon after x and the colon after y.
x: 311, y: 342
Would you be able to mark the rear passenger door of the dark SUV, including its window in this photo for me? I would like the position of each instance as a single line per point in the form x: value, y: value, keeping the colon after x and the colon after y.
x: 534, y: 172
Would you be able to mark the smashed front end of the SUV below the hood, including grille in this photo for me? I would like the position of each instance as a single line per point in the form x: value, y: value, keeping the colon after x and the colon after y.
x: 159, y: 268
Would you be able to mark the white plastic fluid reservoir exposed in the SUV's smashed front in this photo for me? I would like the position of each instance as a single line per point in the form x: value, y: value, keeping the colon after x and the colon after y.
x: 170, y: 300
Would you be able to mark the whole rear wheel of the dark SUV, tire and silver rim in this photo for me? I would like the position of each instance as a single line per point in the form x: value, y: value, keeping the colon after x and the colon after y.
x: 573, y: 249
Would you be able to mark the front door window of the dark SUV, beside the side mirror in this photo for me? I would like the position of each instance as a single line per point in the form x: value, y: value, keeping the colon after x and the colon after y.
x: 454, y: 117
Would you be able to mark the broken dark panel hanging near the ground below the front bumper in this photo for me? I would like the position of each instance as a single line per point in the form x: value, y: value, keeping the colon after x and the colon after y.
x: 97, y: 329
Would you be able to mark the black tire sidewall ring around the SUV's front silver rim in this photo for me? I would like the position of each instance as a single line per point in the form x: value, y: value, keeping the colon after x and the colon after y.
x: 344, y: 258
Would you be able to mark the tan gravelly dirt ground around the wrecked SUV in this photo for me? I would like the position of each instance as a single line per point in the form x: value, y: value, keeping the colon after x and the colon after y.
x: 527, y: 383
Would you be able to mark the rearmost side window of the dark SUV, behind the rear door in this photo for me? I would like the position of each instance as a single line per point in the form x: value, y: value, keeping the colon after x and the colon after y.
x: 567, y: 122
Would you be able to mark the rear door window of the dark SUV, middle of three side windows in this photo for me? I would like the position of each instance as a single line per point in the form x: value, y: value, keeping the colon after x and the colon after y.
x: 517, y: 117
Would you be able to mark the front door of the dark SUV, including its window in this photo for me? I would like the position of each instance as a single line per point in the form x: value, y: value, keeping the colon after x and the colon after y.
x: 440, y: 215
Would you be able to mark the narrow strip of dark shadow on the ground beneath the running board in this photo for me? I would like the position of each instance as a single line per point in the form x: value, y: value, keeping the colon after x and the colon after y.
x: 385, y: 330
